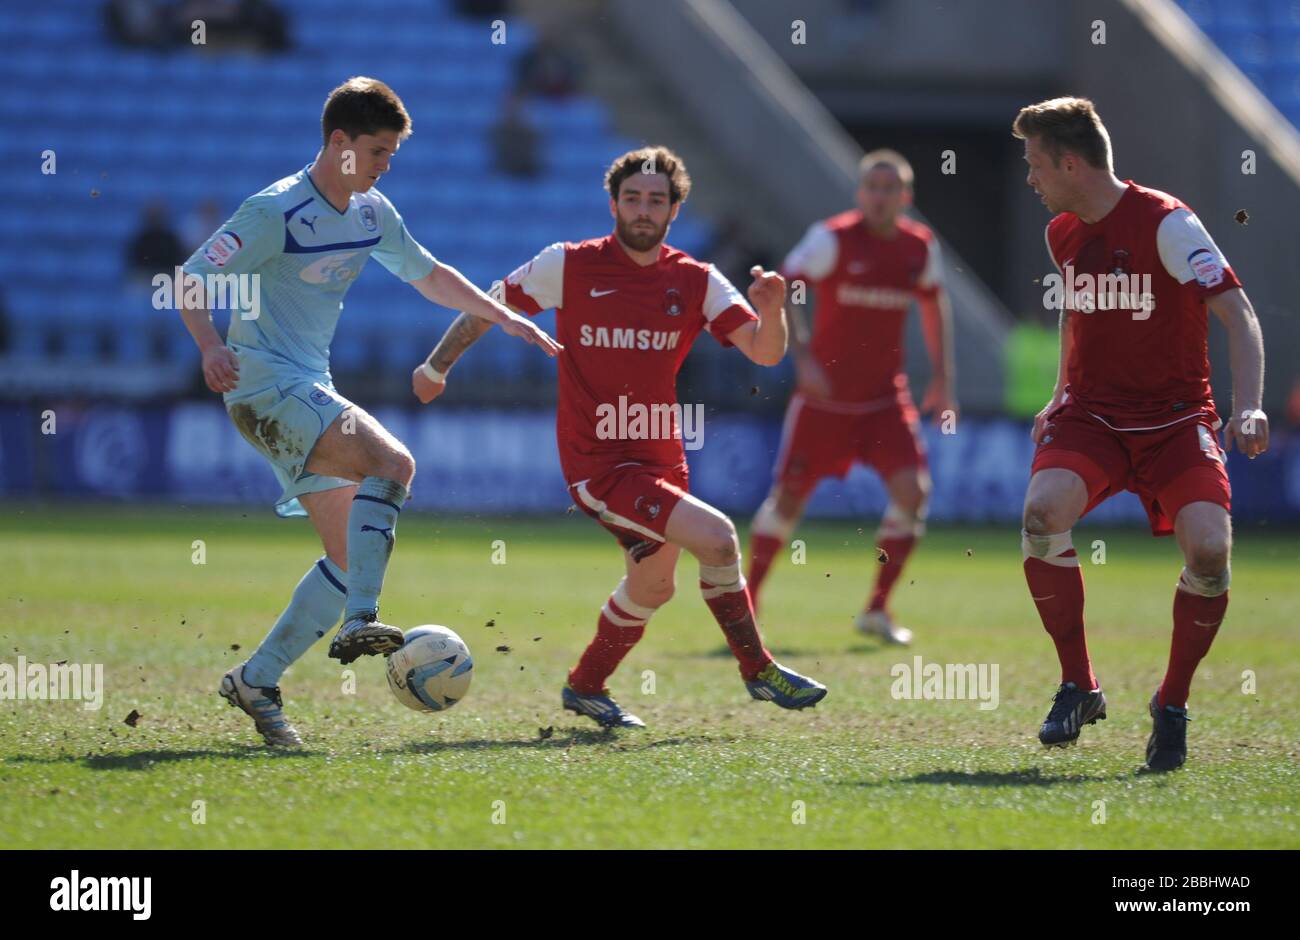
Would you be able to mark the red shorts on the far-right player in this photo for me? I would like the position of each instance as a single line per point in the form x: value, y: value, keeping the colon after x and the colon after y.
x: 1168, y: 469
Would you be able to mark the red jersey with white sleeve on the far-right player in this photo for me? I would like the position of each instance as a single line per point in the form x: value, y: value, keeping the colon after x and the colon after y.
x: 1139, y: 359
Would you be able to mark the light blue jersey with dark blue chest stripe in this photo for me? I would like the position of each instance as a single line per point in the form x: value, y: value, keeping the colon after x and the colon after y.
x: 306, y: 254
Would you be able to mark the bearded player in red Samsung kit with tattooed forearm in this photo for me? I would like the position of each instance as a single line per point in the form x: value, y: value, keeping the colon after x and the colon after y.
x: 629, y: 309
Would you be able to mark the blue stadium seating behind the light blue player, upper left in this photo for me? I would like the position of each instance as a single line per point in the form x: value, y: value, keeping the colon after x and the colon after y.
x: 131, y: 128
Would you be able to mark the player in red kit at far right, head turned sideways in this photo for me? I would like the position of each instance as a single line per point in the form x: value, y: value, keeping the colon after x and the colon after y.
x: 1132, y: 408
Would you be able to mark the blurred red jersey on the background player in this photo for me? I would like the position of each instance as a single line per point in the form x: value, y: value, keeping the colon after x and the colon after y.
x: 865, y: 287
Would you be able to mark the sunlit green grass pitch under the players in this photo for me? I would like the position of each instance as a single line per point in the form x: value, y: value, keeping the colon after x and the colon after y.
x: 714, y: 769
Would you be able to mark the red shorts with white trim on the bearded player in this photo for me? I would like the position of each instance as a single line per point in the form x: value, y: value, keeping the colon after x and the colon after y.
x: 634, y: 503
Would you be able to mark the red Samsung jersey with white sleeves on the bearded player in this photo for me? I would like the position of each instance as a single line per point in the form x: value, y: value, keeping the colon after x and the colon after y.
x: 626, y: 330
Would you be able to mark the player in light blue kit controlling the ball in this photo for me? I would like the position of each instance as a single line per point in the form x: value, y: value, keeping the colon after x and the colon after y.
x: 298, y: 246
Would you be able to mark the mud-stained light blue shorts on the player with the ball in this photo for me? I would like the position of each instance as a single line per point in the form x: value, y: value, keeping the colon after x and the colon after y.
x: 283, y: 411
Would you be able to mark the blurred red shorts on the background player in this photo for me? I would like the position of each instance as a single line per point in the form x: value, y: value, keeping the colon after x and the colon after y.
x: 824, y: 441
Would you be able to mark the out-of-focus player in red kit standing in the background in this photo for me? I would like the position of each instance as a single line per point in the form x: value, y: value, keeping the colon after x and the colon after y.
x: 852, y: 402
